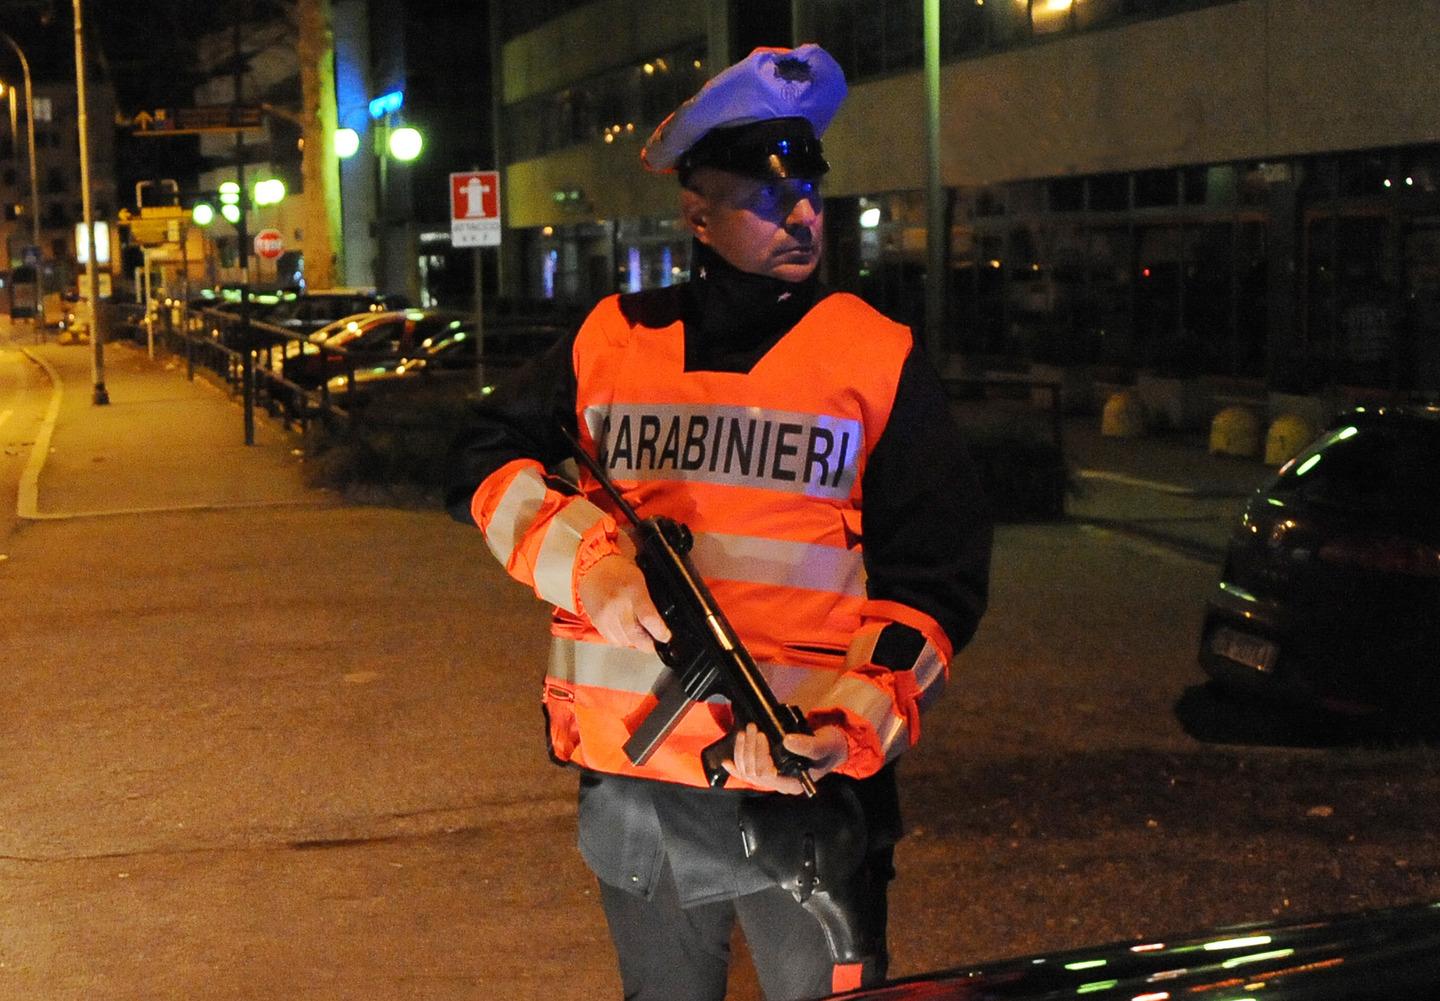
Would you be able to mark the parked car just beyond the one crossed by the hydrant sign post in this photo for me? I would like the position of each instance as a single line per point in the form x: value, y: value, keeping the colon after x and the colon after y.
x: 362, y: 339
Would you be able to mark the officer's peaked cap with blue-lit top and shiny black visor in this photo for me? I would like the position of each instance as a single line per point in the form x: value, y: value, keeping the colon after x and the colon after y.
x: 764, y: 116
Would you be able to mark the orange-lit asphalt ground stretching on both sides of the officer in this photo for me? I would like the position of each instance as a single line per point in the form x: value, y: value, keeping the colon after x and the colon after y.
x: 290, y: 748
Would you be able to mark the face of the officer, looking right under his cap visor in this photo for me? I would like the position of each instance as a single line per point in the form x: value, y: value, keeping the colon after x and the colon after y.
x: 768, y: 228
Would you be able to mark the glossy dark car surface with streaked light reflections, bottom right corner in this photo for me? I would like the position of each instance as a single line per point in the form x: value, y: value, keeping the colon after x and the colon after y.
x: 1379, y: 956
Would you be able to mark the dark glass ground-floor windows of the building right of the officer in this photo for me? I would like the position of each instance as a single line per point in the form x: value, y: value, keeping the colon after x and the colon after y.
x: 1176, y: 271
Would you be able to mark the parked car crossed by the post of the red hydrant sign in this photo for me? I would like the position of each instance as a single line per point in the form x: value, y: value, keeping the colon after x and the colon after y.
x: 447, y: 362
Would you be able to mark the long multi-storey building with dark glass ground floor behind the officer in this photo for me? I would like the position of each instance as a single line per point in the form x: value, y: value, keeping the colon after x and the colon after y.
x: 1239, y: 189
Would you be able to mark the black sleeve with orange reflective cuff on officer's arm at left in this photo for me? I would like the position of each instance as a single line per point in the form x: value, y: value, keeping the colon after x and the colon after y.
x: 535, y: 524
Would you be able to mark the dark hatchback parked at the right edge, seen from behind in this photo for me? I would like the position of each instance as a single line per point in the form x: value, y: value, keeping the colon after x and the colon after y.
x: 1330, y: 598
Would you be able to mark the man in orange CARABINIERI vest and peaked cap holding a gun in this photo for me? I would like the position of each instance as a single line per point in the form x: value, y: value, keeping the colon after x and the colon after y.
x: 809, y: 446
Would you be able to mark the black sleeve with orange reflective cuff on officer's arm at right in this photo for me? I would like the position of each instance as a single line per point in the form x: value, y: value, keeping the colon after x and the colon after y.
x: 928, y: 548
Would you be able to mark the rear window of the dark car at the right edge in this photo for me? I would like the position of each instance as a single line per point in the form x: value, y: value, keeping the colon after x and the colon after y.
x: 1372, y: 469
